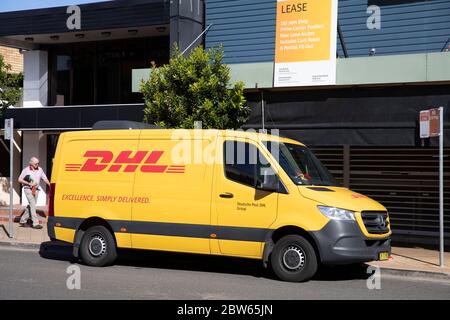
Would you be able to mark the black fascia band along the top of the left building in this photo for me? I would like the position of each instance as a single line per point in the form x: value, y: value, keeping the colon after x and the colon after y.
x: 94, y: 16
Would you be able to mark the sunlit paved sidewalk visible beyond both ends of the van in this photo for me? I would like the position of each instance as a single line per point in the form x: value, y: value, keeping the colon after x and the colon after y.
x: 404, y: 261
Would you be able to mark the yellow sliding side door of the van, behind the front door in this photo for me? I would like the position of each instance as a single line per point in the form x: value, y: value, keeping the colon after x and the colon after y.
x: 172, y: 189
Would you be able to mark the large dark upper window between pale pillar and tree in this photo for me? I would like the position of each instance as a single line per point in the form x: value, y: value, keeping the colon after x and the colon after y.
x: 87, y: 73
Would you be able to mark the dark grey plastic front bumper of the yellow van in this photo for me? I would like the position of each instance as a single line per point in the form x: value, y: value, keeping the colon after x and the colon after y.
x: 342, y: 242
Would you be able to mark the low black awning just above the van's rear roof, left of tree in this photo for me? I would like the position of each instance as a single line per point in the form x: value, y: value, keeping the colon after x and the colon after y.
x: 72, y: 117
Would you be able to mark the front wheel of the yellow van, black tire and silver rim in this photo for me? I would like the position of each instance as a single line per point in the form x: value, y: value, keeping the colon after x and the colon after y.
x: 293, y: 259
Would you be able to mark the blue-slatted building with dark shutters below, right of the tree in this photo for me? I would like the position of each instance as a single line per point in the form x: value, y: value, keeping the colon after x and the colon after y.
x: 393, y: 61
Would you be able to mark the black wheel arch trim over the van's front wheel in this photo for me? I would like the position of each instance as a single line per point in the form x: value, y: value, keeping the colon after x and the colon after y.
x: 279, y: 233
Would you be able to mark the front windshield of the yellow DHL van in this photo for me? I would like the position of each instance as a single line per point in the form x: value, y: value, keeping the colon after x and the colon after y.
x: 300, y: 164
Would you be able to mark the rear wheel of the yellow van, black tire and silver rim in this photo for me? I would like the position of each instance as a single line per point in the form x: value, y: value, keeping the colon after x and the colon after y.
x: 98, y: 247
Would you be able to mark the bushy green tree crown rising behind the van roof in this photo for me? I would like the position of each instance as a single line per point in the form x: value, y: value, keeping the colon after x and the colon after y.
x: 194, y: 88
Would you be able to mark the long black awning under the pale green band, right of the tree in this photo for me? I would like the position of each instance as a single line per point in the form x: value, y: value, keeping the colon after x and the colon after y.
x: 382, y: 116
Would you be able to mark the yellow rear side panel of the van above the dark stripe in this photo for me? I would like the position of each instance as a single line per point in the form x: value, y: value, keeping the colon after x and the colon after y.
x: 82, y: 194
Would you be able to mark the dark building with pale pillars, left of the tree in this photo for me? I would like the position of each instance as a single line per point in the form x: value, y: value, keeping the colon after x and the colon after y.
x: 79, y: 61
